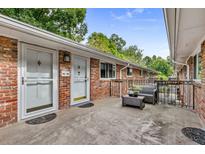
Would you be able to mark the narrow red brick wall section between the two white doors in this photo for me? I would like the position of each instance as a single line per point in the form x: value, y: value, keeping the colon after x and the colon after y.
x: 64, y: 82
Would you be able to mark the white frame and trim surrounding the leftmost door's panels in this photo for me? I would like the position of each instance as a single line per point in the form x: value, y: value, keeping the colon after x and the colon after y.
x: 21, y: 73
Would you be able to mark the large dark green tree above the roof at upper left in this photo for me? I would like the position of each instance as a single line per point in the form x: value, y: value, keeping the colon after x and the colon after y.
x: 68, y: 23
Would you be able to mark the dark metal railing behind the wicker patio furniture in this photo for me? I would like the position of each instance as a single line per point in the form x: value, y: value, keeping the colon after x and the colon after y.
x: 179, y: 93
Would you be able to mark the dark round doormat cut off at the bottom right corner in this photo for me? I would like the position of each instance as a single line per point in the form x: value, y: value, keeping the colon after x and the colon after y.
x: 195, y: 134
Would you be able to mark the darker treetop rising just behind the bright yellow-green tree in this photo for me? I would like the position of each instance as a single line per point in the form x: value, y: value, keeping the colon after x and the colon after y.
x: 118, y: 41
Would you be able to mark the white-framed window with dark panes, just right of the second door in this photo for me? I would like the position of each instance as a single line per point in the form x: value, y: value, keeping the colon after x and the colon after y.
x: 107, y: 70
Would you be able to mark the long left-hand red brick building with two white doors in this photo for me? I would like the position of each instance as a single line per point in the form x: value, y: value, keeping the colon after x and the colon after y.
x: 41, y: 72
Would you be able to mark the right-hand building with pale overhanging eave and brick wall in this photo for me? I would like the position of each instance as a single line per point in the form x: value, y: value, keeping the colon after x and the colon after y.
x: 186, y: 36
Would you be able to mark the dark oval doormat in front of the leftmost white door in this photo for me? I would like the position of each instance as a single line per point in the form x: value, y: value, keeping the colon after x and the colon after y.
x: 41, y: 120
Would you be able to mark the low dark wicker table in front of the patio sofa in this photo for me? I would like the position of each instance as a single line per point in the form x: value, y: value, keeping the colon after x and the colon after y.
x: 133, y: 101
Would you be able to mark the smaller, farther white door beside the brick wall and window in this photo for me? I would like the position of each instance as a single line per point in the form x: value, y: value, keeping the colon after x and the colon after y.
x: 80, y: 80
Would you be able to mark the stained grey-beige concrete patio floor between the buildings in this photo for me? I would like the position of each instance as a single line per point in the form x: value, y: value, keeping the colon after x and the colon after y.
x: 107, y: 123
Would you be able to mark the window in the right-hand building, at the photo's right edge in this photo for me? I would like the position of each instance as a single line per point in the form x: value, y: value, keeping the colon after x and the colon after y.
x: 197, y: 66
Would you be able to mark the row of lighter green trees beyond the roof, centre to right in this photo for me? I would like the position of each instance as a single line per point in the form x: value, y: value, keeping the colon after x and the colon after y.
x: 115, y: 45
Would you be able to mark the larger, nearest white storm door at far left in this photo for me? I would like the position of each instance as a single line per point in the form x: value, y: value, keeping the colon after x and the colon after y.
x: 39, y: 80
